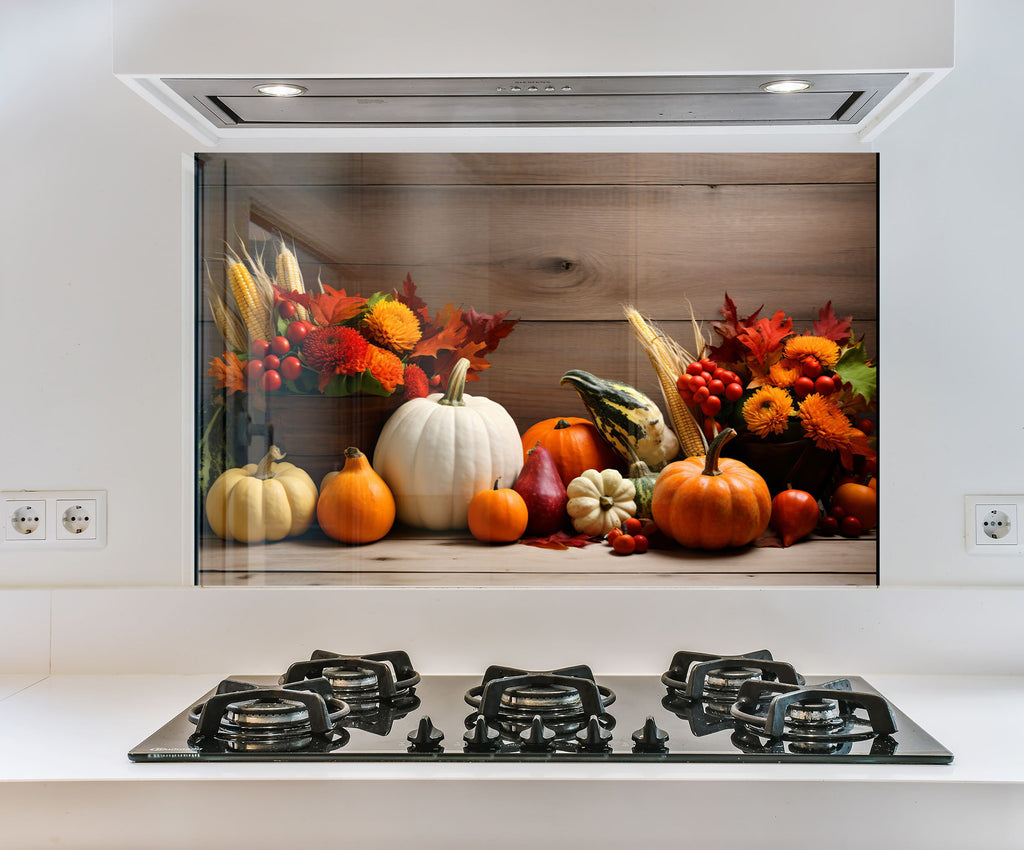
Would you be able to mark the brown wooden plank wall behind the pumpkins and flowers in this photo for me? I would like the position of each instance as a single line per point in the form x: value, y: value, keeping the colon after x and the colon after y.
x: 564, y: 240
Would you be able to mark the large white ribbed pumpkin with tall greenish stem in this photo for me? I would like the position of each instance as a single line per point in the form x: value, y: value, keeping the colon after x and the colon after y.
x: 438, y: 453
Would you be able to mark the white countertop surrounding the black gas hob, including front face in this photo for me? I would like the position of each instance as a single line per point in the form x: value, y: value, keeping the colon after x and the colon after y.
x: 64, y: 742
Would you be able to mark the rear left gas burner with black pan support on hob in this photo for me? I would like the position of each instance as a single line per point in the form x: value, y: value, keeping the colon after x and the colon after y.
x: 366, y: 683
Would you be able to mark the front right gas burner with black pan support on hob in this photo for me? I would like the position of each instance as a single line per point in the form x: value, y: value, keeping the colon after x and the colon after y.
x: 810, y: 718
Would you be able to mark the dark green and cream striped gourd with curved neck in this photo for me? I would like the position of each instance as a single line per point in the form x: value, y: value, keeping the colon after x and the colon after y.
x: 628, y: 419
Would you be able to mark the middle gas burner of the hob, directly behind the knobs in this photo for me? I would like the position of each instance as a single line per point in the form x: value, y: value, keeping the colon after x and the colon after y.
x: 565, y: 700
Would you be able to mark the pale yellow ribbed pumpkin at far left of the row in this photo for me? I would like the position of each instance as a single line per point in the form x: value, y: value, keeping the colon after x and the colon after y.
x: 262, y: 502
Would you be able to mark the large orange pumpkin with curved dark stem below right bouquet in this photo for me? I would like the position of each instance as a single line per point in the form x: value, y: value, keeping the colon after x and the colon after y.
x: 708, y: 503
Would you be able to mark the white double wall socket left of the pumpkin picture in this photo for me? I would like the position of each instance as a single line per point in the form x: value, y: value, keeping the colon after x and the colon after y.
x: 54, y: 519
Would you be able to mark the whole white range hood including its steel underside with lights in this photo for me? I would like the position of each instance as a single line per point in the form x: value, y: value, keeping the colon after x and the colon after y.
x: 587, y: 67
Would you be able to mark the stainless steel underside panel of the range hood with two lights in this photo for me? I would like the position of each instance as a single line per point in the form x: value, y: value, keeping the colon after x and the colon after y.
x: 538, y: 102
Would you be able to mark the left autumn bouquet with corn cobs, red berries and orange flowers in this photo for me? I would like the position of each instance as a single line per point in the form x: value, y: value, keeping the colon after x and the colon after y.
x: 281, y: 337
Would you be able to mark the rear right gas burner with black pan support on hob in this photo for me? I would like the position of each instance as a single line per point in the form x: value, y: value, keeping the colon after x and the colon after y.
x: 717, y: 679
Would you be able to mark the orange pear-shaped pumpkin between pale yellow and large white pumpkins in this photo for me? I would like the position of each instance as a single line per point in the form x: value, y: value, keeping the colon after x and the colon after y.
x: 356, y: 505
